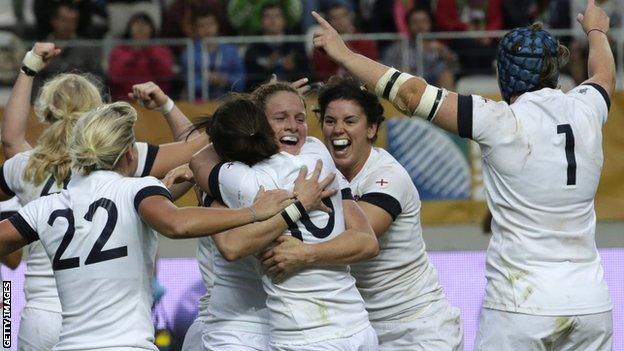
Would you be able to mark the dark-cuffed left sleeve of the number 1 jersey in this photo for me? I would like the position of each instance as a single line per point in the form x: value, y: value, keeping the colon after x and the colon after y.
x: 484, y: 120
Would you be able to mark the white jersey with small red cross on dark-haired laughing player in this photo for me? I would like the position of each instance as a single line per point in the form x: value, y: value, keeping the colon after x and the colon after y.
x: 400, y: 281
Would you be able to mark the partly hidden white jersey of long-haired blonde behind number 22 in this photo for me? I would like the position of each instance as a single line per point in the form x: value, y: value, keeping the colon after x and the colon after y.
x: 39, y: 286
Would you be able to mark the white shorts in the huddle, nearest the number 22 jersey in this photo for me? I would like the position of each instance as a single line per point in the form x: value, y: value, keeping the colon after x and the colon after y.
x: 201, y: 337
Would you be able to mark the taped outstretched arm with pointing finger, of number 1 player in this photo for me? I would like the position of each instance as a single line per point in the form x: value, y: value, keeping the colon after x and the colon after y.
x: 410, y: 94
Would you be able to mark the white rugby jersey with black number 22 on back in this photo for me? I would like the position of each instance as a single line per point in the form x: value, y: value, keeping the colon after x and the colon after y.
x: 102, y: 254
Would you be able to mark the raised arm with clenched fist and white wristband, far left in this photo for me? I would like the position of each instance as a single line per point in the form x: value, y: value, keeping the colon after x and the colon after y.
x: 15, y: 120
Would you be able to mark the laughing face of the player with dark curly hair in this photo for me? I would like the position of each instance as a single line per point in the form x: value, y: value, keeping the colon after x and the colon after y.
x: 348, y: 135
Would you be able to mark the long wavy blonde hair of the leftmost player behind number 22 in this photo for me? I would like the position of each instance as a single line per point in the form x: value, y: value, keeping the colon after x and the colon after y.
x: 61, y: 102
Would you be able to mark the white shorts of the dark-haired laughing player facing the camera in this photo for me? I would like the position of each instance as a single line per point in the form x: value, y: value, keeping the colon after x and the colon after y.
x: 437, y: 328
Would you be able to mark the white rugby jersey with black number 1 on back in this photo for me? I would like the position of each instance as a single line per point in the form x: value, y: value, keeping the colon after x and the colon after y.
x: 542, y: 158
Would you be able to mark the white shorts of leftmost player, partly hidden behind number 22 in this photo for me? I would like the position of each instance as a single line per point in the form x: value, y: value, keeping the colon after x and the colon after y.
x: 39, y: 329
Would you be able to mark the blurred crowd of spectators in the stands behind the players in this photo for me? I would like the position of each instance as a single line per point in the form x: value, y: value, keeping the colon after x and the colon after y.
x: 79, y: 24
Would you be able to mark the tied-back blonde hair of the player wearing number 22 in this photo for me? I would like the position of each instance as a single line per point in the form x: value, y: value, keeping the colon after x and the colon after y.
x: 102, y: 136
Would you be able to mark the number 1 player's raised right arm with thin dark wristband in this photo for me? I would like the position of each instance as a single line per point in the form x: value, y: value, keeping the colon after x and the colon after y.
x: 600, y: 62
